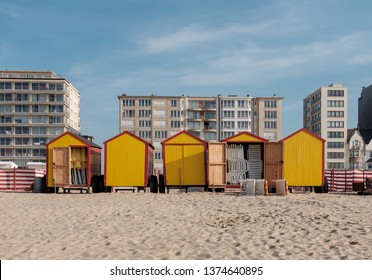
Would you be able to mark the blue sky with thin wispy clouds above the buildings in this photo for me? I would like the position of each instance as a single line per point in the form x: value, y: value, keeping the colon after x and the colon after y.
x: 173, y: 47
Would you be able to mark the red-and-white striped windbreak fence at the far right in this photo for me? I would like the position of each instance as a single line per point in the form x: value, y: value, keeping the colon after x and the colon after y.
x: 342, y: 180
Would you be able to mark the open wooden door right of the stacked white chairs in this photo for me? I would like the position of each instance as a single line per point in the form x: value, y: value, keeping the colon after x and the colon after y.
x: 273, y: 162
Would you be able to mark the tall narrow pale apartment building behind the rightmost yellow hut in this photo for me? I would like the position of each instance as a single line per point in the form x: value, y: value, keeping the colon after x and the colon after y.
x: 325, y: 114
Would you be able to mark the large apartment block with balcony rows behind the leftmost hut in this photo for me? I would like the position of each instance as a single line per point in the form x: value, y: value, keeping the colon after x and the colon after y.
x: 35, y: 107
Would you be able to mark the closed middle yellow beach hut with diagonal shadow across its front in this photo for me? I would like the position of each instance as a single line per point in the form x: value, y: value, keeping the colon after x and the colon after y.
x: 184, y: 161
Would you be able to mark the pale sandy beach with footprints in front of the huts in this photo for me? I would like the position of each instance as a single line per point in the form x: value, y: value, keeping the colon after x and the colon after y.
x: 175, y: 226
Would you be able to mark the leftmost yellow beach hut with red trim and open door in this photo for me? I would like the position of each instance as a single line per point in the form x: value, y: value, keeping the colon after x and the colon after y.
x: 72, y: 160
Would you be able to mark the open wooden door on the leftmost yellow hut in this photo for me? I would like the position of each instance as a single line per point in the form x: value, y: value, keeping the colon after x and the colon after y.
x: 61, y: 166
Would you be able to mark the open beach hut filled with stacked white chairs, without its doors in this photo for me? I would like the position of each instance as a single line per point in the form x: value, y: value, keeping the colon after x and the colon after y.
x: 245, y: 156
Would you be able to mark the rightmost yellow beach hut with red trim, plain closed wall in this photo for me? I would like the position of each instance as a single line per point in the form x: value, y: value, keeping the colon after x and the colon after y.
x: 303, y: 159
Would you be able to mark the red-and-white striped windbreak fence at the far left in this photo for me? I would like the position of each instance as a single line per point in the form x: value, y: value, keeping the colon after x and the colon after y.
x: 18, y: 179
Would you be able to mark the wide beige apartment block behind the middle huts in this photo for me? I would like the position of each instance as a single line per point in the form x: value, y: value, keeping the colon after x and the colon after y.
x: 155, y: 118
